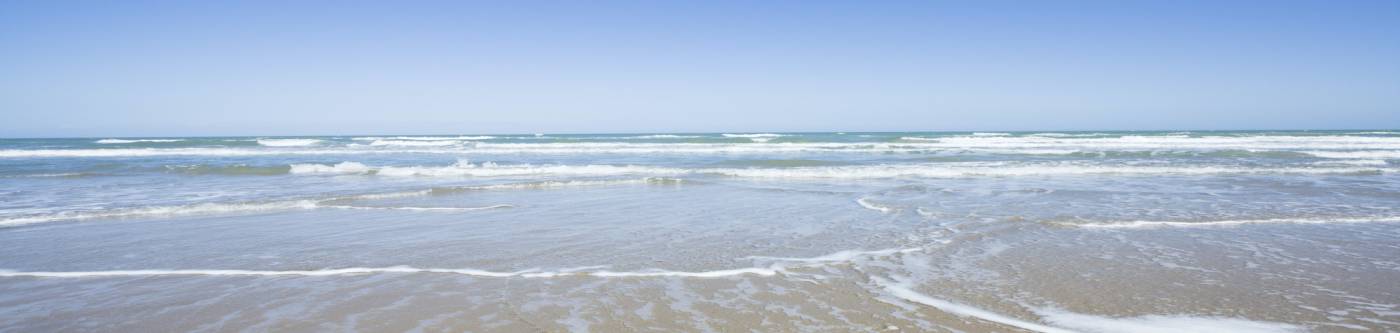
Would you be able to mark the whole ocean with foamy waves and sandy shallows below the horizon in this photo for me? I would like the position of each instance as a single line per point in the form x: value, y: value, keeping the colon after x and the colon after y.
x: 948, y: 232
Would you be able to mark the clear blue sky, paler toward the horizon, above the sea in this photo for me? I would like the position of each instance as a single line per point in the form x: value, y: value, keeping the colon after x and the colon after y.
x: 100, y: 69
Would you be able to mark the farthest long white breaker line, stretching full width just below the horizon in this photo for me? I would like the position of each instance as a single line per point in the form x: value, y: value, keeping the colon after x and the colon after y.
x: 1244, y: 146
